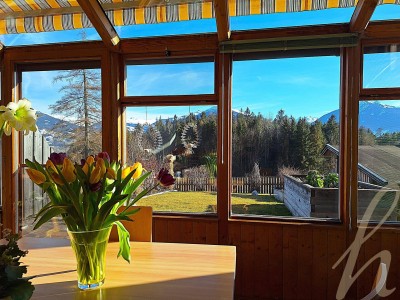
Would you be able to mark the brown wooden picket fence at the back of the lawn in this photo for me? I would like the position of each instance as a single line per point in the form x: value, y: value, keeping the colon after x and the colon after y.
x: 242, y: 185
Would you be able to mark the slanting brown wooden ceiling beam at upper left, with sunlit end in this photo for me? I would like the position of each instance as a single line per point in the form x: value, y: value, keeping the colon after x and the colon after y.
x: 101, y: 23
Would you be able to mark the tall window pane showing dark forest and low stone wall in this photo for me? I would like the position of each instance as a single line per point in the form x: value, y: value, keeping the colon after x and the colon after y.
x: 286, y: 124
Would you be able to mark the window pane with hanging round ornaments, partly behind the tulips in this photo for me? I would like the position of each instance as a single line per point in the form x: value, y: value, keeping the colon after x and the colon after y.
x: 182, y: 139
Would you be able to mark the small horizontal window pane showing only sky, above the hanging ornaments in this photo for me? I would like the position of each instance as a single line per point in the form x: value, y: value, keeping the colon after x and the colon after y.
x: 170, y: 79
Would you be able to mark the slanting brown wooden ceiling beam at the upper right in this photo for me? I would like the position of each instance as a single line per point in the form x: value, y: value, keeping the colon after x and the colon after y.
x: 362, y: 14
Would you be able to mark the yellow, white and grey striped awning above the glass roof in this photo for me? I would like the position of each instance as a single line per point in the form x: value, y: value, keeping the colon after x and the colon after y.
x: 28, y: 16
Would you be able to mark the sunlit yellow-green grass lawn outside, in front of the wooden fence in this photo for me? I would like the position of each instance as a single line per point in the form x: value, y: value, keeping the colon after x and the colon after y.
x: 207, y: 202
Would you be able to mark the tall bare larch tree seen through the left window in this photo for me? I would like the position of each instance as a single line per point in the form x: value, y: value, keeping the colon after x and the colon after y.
x: 80, y: 104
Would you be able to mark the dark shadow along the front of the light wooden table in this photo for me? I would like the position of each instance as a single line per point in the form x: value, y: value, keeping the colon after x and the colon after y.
x: 202, y: 287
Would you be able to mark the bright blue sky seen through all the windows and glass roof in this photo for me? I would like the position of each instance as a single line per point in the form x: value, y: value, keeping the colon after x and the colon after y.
x: 303, y: 87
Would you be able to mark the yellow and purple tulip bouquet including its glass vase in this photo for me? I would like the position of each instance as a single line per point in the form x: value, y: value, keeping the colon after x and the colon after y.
x: 88, y: 197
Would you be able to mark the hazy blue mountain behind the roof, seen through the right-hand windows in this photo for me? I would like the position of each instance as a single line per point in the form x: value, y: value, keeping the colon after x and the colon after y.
x: 374, y: 115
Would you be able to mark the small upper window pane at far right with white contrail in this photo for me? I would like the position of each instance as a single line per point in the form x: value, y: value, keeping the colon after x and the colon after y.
x: 381, y: 66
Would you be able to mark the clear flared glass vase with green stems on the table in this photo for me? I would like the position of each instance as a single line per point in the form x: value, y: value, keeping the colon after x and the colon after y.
x: 90, y: 250
